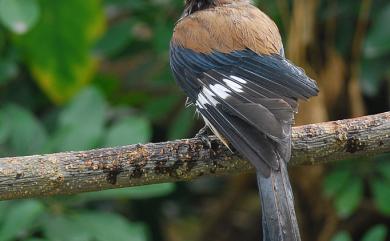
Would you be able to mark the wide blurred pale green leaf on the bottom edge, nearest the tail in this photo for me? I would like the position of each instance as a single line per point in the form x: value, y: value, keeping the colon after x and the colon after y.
x: 108, y: 226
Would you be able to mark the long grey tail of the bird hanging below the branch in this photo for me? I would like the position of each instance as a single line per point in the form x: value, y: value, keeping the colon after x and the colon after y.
x: 279, y: 219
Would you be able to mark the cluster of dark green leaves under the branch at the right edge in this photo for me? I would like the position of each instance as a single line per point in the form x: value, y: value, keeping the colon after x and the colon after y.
x: 345, y: 185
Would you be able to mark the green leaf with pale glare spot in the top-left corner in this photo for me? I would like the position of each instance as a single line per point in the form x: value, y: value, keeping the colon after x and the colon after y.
x: 19, y: 16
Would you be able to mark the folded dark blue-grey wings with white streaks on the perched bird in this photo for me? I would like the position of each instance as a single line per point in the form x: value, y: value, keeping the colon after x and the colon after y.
x: 247, y: 98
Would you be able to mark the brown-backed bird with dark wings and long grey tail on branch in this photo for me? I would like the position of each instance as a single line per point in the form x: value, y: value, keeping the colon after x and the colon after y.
x: 228, y: 58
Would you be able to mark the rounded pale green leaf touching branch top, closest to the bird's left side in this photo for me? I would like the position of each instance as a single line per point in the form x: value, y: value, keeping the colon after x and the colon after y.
x: 130, y: 130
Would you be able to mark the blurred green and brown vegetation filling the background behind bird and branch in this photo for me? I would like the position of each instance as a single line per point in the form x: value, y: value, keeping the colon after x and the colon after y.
x: 84, y: 74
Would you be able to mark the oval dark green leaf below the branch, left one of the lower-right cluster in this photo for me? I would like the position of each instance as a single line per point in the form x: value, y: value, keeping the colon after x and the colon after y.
x: 348, y: 200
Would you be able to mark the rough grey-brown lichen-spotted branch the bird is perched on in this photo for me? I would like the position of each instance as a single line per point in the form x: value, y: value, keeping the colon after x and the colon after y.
x: 134, y: 165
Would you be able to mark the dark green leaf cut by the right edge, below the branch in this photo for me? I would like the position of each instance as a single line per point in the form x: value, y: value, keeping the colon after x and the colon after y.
x: 381, y: 190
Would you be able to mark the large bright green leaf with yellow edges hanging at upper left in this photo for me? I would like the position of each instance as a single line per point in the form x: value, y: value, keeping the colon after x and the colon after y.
x: 58, y: 49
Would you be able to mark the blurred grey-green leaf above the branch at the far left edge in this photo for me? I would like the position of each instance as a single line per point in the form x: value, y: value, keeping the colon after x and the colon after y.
x: 27, y: 135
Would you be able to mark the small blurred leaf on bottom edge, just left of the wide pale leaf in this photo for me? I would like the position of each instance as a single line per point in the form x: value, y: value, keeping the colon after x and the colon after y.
x: 61, y: 228
